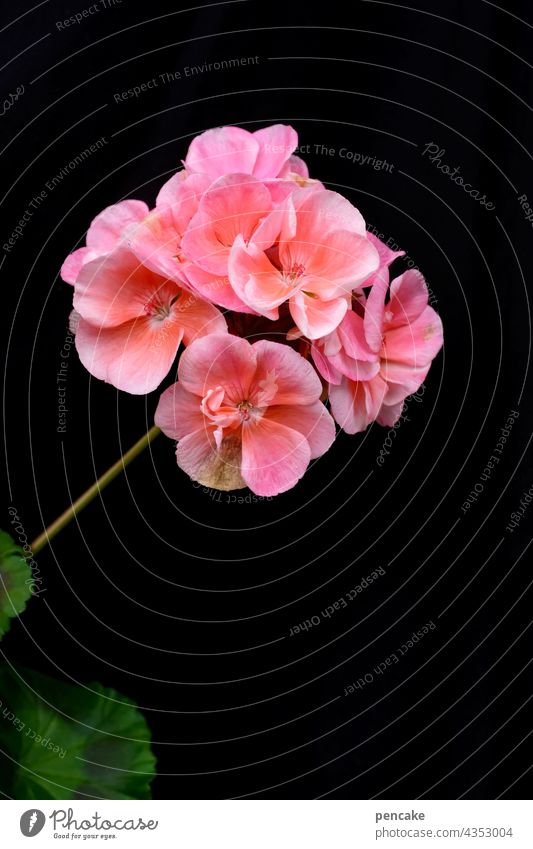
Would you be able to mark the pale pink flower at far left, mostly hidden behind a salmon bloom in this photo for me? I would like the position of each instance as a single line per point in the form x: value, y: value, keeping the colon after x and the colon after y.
x: 103, y: 235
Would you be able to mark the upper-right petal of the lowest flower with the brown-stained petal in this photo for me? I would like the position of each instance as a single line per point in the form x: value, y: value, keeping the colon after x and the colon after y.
x: 282, y: 376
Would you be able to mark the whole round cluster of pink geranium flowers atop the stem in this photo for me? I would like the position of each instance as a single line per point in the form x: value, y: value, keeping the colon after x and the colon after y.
x: 280, y: 297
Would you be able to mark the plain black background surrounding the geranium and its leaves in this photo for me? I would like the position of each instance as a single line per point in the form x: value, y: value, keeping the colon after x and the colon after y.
x: 185, y: 603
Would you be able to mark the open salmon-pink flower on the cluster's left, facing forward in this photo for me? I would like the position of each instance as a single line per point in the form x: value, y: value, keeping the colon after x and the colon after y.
x: 132, y: 321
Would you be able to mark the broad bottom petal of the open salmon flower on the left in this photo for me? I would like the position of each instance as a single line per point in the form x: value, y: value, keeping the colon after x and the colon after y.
x: 135, y: 356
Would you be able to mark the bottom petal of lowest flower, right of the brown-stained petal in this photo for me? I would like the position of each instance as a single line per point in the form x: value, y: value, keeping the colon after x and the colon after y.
x: 274, y: 457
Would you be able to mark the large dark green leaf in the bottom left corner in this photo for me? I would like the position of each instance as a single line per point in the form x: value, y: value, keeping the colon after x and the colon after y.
x: 71, y: 742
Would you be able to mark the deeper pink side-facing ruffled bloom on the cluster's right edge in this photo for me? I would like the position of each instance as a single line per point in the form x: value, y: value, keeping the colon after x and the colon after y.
x: 373, y: 363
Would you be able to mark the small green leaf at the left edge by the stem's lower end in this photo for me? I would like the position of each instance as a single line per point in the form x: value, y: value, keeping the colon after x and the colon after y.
x: 15, y: 581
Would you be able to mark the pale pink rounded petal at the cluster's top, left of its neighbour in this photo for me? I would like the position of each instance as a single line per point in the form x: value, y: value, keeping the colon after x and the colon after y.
x: 224, y: 150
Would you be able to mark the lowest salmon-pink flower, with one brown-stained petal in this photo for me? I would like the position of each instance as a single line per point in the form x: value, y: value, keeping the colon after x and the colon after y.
x: 245, y: 415
